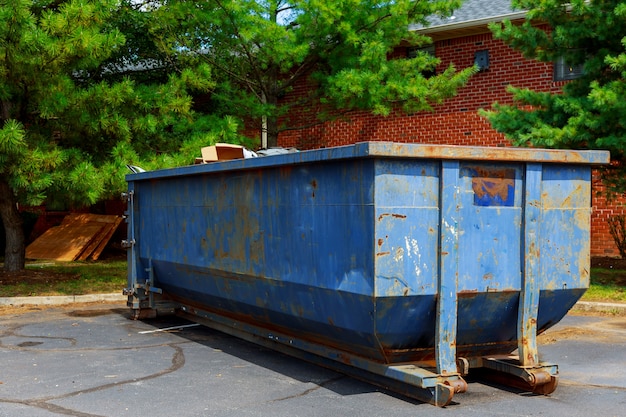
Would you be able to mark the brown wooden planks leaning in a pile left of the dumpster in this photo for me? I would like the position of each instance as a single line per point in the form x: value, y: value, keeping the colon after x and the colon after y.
x: 80, y: 236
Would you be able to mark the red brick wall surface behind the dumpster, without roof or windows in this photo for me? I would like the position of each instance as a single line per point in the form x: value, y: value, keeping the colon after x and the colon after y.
x: 454, y: 122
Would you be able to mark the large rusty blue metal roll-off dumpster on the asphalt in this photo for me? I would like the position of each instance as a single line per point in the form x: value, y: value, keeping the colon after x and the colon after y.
x: 405, y: 264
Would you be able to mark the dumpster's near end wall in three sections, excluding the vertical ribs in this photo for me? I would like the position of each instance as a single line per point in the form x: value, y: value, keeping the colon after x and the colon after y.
x: 488, y: 222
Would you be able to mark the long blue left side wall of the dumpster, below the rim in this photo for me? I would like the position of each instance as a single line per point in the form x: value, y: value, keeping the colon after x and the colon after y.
x: 290, y: 246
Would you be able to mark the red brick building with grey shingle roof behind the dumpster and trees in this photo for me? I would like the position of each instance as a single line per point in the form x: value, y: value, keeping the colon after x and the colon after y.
x: 462, y: 39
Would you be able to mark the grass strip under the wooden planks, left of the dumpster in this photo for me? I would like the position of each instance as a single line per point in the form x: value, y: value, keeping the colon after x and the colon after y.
x: 79, y: 278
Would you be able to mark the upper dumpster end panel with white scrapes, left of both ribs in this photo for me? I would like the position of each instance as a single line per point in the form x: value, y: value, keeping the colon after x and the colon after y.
x: 407, y: 232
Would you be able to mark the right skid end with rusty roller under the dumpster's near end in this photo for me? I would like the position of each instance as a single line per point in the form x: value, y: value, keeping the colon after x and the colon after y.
x: 542, y: 378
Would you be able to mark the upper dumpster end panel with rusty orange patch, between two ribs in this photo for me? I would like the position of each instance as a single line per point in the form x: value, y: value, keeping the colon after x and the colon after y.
x: 489, y: 218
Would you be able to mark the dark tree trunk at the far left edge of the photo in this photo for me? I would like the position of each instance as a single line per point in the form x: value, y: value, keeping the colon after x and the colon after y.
x: 15, y: 252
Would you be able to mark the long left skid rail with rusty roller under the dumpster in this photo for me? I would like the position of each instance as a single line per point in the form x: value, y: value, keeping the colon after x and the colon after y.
x: 408, y: 379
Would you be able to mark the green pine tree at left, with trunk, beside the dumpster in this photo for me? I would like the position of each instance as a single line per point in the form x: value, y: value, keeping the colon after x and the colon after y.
x: 70, y: 119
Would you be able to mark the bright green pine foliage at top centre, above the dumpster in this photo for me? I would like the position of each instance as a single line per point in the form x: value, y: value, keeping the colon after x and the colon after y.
x: 259, y: 50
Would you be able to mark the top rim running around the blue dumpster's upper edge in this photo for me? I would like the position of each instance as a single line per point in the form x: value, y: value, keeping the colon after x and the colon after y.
x: 392, y: 150
